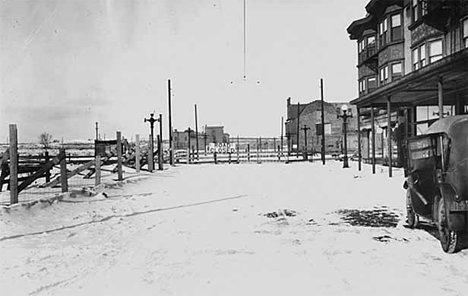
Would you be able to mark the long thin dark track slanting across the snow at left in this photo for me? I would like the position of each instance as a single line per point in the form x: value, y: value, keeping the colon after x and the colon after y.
x: 121, y: 216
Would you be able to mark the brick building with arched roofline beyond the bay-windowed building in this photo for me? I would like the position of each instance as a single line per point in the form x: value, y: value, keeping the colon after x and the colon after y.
x: 308, y: 115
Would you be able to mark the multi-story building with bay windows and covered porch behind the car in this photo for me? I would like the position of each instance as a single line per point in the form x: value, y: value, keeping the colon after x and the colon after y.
x: 412, y: 70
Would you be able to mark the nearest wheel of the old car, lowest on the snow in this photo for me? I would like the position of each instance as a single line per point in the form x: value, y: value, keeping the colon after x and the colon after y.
x: 451, y: 241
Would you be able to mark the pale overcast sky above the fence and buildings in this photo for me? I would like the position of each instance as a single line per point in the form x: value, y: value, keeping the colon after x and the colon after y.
x: 66, y: 64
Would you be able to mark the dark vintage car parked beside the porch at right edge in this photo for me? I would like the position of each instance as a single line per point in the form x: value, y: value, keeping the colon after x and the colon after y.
x: 437, y: 180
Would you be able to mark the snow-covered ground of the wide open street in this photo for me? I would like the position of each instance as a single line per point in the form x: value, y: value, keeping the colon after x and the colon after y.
x: 248, y: 229
